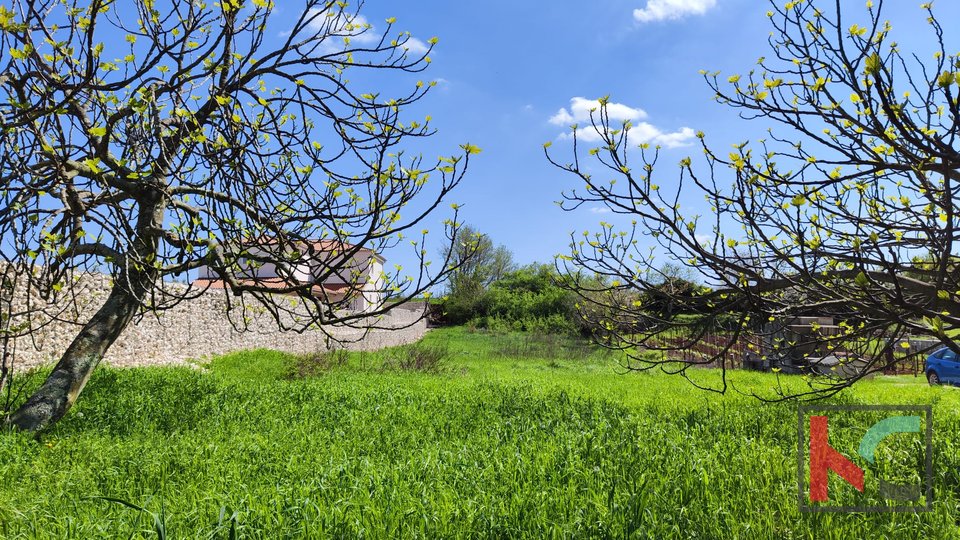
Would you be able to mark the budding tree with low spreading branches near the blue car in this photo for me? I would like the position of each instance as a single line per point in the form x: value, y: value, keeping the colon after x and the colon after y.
x: 848, y: 209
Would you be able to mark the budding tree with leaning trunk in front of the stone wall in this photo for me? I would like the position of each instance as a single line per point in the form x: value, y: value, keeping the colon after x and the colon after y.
x: 153, y: 137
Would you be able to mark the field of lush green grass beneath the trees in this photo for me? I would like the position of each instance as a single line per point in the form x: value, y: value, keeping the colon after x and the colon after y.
x: 509, y: 436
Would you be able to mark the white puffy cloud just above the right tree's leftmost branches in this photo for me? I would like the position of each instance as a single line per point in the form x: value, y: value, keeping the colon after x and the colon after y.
x: 640, y: 132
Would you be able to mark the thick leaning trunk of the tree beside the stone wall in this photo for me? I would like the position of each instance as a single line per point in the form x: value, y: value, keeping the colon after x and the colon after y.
x: 63, y: 385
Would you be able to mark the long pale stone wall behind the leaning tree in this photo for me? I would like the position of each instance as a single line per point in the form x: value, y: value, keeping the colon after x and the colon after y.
x: 200, y: 328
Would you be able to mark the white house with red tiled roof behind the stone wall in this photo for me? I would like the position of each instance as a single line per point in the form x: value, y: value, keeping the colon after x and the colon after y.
x: 361, y: 279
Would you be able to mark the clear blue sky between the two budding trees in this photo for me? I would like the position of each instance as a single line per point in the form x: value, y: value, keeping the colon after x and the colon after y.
x: 506, y: 69
